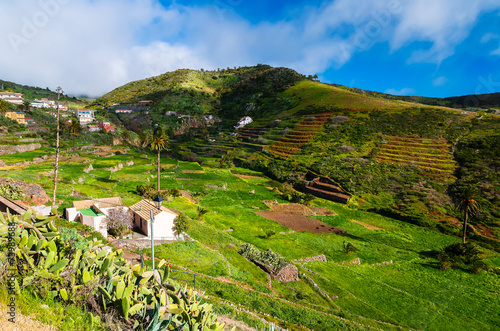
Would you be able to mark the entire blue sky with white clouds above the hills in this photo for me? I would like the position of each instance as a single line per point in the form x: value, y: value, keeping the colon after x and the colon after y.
x: 434, y: 48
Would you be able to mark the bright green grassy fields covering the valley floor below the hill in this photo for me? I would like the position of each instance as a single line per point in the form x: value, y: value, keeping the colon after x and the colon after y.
x: 396, y: 286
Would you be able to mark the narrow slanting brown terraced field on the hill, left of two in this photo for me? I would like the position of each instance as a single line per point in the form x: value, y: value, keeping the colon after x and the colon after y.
x: 291, y: 143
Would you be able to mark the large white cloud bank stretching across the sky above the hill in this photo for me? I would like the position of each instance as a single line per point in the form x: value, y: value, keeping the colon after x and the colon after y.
x: 93, y: 46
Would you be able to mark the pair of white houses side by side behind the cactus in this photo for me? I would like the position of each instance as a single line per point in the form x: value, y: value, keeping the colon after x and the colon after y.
x: 96, y: 212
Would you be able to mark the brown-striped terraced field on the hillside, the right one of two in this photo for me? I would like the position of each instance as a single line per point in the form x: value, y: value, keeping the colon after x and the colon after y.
x: 432, y: 156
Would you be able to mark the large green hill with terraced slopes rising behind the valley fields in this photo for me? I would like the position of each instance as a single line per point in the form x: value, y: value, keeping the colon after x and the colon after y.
x: 395, y: 154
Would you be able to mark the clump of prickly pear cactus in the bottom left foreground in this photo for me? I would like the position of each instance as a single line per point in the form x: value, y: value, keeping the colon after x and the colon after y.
x: 142, y: 297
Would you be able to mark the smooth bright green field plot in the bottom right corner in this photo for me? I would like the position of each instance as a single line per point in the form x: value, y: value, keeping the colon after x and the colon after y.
x: 414, y: 295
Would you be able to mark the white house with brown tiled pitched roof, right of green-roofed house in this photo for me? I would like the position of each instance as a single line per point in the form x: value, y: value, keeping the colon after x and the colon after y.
x: 164, y: 220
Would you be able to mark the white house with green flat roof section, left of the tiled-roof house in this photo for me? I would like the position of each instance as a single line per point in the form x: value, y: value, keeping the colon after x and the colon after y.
x: 93, y: 212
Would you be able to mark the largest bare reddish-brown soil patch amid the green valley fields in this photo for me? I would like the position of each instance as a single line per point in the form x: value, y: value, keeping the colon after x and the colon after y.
x: 298, y: 222
